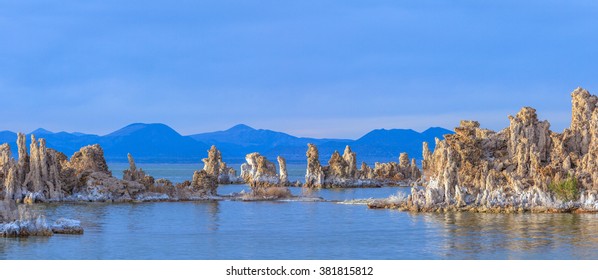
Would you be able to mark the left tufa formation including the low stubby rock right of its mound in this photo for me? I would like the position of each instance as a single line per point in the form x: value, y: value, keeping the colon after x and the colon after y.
x: 48, y: 175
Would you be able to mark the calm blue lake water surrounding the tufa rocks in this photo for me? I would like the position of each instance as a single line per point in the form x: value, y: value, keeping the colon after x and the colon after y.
x: 302, y: 230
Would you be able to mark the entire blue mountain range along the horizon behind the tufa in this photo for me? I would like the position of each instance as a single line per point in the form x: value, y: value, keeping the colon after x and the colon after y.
x: 160, y: 143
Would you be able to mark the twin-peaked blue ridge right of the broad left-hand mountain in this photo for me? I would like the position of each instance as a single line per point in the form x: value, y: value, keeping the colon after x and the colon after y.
x: 377, y: 145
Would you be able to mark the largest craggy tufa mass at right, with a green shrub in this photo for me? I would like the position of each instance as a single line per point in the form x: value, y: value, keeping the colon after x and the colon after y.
x: 525, y: 167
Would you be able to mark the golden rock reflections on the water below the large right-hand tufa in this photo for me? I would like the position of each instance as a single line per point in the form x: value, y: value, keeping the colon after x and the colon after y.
x: 517, y: 236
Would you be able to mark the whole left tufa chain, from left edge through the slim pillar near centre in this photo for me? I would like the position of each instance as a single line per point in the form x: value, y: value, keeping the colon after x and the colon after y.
x: 46, y: 175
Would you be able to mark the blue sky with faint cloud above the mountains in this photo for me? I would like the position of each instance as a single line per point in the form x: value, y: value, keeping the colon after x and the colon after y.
x: 310, y: 68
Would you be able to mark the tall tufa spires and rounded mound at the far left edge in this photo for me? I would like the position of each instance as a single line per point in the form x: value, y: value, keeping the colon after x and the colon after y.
x: 46, y: 174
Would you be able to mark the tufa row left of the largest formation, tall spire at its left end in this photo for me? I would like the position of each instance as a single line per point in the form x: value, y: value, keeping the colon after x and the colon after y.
x: 342, y: 171
